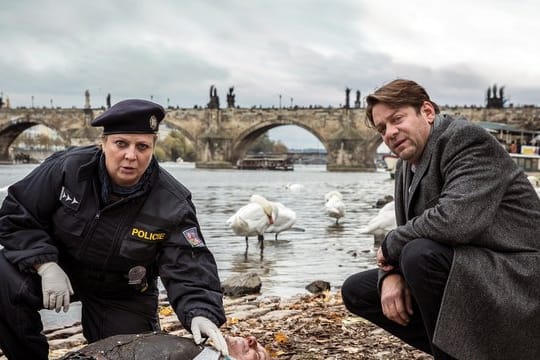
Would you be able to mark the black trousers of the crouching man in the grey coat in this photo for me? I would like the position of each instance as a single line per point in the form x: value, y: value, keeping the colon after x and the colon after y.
x: 425, y: 265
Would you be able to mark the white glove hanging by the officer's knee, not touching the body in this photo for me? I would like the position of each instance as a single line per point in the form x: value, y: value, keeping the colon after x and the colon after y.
x: 55, y: 285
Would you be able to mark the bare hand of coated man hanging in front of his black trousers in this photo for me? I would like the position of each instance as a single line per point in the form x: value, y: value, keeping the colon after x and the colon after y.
x: 396, y: 299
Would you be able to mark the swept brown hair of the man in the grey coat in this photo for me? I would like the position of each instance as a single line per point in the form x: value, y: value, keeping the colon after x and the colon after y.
x: 396, y: 94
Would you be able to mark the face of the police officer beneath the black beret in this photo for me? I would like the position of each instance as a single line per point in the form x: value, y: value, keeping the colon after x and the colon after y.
x: 127, y: 156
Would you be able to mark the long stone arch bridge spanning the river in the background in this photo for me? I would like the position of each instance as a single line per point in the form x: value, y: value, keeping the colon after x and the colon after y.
x: 222, y: 136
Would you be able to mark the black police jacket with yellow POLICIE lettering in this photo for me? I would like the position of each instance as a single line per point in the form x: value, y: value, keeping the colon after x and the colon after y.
x: 54, y: 214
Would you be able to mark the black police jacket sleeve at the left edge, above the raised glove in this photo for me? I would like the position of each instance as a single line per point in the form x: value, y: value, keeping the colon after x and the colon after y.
x: 25, y: 217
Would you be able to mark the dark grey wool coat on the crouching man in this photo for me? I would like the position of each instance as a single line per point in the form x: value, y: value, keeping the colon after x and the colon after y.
x: 467, y: 193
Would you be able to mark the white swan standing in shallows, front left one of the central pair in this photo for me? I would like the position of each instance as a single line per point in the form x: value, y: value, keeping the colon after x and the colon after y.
x: 252, y: 219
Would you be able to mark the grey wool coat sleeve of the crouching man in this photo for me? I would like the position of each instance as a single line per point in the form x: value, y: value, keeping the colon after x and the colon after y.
x: 467, y: 178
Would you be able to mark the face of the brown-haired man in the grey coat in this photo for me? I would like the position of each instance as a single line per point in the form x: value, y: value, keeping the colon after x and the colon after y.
x: 404, y: 131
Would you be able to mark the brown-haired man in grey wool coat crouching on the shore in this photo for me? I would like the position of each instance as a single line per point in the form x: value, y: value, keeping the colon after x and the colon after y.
x: 458, y: 277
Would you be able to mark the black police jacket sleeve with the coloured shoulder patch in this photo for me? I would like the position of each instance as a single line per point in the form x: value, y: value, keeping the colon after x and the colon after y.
x: 189, y: 272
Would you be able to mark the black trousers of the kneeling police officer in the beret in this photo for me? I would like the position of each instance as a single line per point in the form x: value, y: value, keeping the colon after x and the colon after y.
x: 106, y: 310
